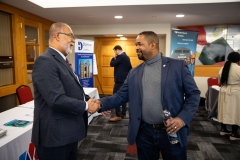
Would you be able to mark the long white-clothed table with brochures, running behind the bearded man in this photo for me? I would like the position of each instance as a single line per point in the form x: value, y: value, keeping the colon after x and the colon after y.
x: 17, y: 140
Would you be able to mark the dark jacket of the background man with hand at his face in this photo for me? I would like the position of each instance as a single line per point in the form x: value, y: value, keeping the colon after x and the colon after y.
x: 121, y: 65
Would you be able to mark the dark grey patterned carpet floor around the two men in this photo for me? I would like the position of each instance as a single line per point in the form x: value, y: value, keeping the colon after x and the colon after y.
x: 107, y: 141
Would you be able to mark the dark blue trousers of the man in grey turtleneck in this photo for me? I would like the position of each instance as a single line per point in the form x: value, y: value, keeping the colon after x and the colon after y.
x: 150, y: 142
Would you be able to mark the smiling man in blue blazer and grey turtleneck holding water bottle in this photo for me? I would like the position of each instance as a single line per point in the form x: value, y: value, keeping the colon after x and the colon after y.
x: 159, y: 82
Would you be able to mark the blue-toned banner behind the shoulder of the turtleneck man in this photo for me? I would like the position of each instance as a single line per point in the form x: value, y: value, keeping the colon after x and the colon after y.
x: 183, y: 46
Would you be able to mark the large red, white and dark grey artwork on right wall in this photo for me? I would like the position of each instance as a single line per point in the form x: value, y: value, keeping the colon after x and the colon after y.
x: 215, y: 43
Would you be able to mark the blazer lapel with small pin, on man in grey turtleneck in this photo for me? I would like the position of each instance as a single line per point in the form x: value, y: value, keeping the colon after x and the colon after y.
x: 165, y: 68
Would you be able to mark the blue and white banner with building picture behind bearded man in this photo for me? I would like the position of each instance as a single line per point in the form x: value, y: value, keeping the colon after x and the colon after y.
x: 84, y: 61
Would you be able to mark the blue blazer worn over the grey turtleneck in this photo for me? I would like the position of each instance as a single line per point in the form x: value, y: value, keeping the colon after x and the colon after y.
x: 180, y: 96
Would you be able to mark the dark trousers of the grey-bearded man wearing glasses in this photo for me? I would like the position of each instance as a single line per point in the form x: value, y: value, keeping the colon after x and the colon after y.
x: 67, y: 152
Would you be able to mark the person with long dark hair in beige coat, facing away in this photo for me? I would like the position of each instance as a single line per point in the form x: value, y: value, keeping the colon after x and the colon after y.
x: 229, y: 96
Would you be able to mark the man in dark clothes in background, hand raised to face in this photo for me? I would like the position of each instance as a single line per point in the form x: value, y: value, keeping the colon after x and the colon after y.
x: 122, y: 66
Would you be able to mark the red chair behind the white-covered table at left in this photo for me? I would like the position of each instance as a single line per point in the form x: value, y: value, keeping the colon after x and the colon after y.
x: 24, y: 94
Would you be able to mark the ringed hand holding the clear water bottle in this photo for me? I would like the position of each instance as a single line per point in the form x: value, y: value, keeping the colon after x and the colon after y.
x: 174, y: 124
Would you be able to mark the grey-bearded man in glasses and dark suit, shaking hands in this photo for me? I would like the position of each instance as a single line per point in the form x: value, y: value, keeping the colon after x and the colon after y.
x: 61, y: 106
